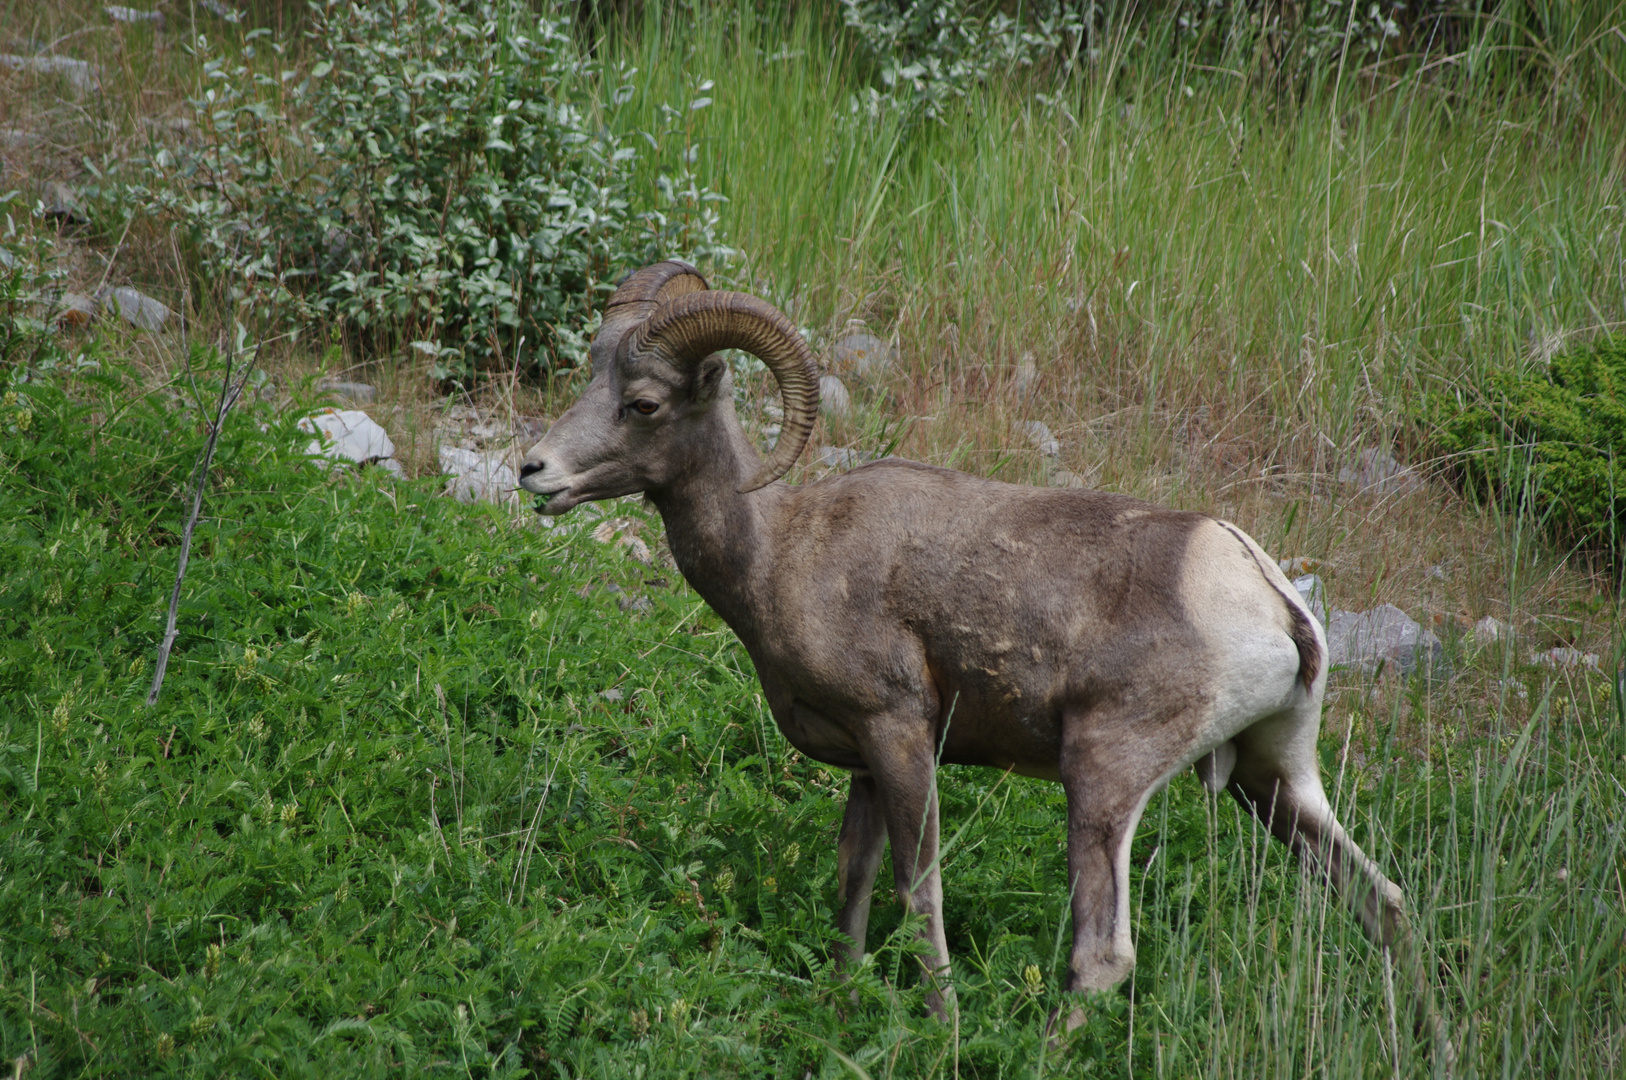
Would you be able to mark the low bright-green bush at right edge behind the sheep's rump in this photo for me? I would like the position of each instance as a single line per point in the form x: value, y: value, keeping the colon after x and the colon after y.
x: 1554, y: 442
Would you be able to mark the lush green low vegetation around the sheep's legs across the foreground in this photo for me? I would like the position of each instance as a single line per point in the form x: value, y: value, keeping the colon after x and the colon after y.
x: 386, y: 821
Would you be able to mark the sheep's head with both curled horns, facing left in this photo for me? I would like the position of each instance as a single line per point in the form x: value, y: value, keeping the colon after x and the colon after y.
x: 656, y: 378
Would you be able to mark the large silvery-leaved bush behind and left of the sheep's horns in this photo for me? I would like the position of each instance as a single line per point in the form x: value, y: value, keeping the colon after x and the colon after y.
x: 446, y: 175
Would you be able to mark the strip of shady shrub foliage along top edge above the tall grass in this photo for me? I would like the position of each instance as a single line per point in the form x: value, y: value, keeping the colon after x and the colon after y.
x: 929, y: 54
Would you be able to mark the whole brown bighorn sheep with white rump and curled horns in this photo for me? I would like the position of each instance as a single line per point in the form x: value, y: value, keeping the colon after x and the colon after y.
x: 903, y: 616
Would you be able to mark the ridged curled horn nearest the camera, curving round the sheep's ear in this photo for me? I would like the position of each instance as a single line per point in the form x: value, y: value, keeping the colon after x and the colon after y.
x: 685, y: 331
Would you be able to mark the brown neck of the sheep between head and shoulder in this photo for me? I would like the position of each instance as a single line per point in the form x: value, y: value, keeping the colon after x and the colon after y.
x: 718, y: 534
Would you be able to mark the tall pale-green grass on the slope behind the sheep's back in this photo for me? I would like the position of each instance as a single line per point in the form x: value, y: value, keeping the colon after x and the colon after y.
x: 1165, y: 245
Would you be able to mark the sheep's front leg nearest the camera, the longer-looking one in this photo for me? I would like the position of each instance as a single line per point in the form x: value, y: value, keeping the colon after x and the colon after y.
x: 905, y: 772
